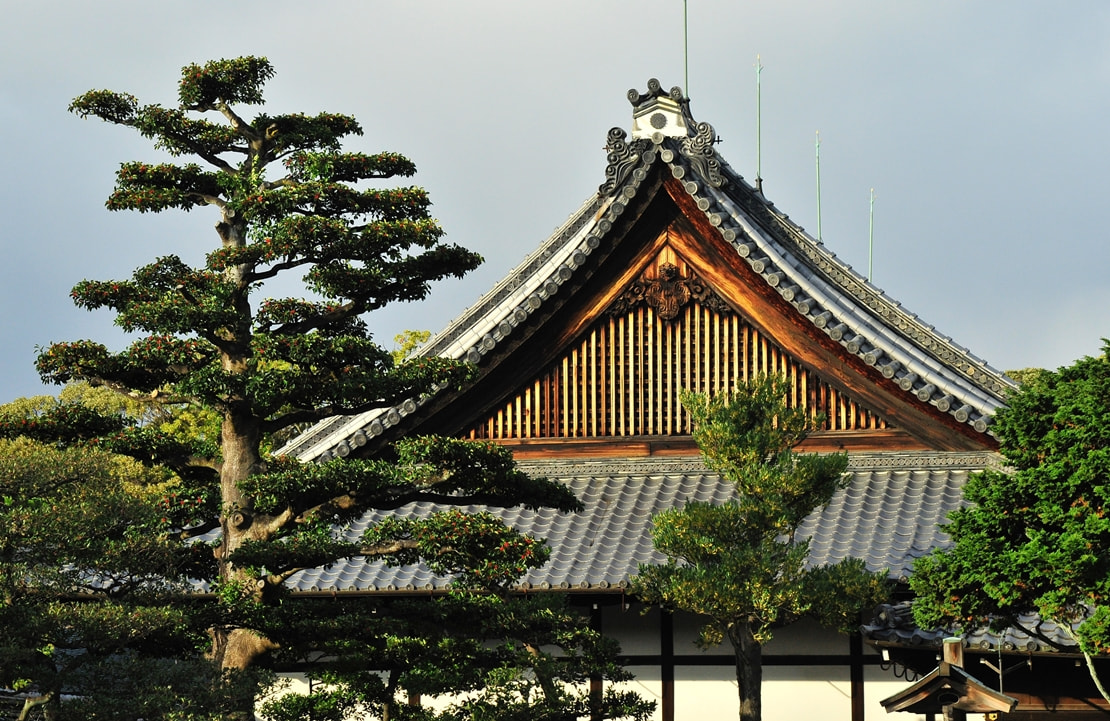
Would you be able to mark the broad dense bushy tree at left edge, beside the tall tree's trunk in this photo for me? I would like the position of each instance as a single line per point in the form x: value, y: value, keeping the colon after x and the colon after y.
x: 64, y: 513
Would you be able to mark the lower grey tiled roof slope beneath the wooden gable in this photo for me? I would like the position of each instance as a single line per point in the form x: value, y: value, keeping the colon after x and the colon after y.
x: 889, y: 515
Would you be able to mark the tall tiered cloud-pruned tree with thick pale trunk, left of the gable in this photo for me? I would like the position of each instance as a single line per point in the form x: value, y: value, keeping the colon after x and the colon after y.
x: 289, y: 199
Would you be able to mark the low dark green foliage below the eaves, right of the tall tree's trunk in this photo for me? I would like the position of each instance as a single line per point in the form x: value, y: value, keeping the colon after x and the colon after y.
x: 509, y: 657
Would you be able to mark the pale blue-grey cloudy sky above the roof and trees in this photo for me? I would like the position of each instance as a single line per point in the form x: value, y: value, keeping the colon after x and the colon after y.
x: 981, y: 126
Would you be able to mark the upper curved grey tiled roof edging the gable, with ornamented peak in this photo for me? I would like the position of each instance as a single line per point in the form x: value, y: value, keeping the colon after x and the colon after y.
x: 820, y: 287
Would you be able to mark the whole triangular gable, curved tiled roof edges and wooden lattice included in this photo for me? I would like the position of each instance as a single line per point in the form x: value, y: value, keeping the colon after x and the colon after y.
x: 572, y: 354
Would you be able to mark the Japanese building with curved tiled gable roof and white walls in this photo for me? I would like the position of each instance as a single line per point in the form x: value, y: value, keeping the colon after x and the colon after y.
x: 679, y: 273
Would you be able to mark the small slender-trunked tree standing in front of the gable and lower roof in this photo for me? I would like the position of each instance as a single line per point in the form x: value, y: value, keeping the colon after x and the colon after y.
x: 740, y: 564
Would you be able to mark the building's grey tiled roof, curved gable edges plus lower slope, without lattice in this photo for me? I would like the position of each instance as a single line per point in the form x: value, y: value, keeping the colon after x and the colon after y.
x: 669, y: 176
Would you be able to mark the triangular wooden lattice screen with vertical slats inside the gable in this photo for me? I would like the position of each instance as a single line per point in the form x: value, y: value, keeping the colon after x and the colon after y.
x: 667, y: 332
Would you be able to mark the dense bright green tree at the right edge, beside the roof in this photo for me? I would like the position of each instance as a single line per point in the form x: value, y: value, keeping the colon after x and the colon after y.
x: 1035, y: 539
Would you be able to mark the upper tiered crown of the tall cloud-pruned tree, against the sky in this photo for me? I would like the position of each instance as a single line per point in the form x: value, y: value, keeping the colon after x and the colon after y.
x: 360, y: 249
